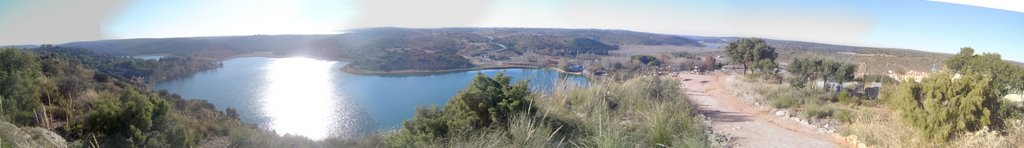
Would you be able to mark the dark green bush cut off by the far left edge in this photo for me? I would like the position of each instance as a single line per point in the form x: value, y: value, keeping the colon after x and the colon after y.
x: 20, y: 86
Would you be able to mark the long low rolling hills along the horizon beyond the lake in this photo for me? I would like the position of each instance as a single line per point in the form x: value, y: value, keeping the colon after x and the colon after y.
x: 398, y: 50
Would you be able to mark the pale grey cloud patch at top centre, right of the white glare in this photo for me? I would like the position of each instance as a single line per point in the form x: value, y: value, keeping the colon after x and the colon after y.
x: 419, y: 14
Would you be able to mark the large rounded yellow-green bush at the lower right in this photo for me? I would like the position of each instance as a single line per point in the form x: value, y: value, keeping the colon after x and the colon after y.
x: 942, y: 106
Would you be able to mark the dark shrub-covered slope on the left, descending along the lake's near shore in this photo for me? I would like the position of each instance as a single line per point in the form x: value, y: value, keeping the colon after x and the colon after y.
x: 92, y: 109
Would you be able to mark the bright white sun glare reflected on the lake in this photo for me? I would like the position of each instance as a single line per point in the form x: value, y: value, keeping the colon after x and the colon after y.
x: 300, y: 97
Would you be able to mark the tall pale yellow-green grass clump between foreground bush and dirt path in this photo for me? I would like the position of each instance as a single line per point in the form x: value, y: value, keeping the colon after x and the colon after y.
x: 644, y: 112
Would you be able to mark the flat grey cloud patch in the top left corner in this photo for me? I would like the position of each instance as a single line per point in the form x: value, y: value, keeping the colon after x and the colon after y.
x: 54, y: 22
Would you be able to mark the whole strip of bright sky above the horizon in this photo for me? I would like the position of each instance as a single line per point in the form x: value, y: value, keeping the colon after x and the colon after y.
x: 988, y: 26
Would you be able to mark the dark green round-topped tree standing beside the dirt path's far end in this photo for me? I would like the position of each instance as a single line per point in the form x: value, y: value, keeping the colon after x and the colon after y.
x: 752, y: 53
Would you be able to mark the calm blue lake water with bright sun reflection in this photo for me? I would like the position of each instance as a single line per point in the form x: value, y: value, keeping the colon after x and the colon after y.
x: 314, y: 98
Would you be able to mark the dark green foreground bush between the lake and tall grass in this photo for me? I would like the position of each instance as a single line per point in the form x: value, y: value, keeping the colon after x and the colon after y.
x: 487, y: 103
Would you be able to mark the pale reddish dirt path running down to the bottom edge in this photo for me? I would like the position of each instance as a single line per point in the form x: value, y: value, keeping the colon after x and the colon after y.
x: 748, y: 126
